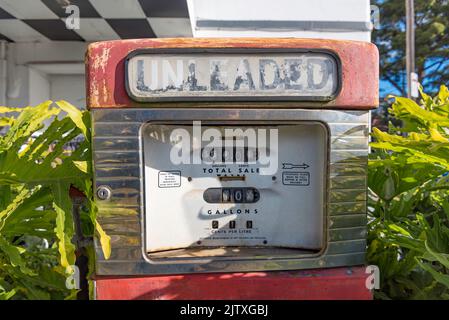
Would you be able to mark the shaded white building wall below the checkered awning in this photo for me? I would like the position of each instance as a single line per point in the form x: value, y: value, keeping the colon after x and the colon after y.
x: 37, y: 72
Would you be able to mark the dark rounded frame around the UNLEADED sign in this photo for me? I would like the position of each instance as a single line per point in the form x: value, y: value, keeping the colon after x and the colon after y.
x: 230, y: 98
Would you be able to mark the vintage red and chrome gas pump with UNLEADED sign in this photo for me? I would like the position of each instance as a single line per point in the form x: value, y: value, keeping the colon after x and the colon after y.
x: 232, y: 168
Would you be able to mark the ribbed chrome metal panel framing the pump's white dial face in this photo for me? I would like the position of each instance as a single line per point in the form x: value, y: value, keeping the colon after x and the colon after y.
x: 118, y: 165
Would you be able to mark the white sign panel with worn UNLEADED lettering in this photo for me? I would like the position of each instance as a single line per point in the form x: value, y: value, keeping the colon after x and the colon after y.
x: 289, y: 76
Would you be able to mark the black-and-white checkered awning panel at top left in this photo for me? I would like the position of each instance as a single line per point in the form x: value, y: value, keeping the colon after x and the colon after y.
x: 44, y: 20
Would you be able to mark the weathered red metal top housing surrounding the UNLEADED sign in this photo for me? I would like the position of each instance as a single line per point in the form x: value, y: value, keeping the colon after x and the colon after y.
x: 105, y: 69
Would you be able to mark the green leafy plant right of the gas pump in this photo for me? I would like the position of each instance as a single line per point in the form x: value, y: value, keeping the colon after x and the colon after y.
x: 408, y: 200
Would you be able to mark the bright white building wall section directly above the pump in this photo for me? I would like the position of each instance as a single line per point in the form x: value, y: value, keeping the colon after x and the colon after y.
x: 323, y: 19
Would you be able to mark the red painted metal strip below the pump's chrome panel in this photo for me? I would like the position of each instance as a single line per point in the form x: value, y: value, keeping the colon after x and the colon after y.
x: 322, y: 284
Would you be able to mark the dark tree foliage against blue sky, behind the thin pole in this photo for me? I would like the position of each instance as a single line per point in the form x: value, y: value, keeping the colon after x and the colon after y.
x: 432, y: 43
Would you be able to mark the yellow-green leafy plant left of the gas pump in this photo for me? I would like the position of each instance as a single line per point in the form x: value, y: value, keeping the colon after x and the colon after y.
x: 36, y: 173
